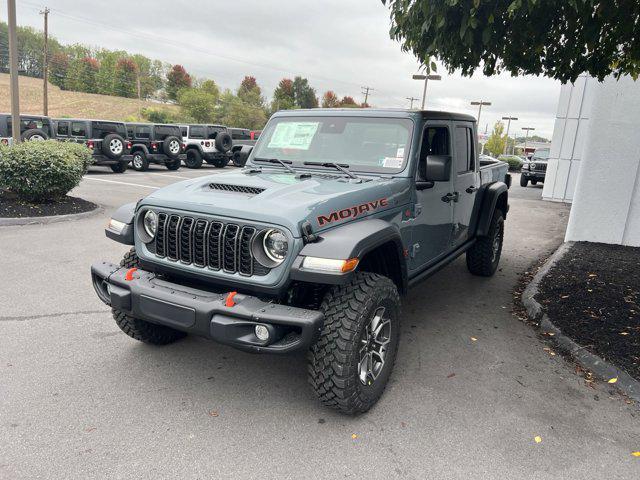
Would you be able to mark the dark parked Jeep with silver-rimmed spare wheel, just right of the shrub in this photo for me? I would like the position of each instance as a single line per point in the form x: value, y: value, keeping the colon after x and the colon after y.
x: 106, y: 140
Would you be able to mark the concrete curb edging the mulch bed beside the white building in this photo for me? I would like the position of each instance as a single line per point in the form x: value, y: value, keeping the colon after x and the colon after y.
x: 603, y: 369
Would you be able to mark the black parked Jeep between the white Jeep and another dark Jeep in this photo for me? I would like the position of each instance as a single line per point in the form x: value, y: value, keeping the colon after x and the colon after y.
x: 154, y: 143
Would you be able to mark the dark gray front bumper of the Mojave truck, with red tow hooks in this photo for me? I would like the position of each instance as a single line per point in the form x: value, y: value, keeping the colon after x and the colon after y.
x: 205, y: 313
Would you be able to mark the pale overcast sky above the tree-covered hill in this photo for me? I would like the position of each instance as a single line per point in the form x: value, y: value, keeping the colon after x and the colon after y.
x: 337, y: 44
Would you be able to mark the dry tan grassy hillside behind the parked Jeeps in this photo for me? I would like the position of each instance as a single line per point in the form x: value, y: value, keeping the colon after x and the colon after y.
x: 72, y: 104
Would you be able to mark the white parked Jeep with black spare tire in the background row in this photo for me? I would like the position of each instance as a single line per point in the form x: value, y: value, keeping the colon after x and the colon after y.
x: 211, y: 143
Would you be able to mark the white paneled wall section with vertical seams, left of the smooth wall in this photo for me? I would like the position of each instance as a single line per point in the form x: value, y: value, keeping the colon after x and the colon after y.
x: 569, y: 133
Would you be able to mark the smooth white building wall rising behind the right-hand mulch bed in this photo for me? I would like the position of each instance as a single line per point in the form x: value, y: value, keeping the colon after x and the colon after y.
x: 606, y: 204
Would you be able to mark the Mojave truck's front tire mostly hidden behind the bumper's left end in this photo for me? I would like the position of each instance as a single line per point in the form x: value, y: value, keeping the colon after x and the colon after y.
x: 142, y: 330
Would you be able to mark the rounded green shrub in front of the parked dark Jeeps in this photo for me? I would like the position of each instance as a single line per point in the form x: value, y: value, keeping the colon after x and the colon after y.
x: 43, y: 171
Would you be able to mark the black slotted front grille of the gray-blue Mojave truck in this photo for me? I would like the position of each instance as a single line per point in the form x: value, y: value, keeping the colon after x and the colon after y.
x: 208, y: 244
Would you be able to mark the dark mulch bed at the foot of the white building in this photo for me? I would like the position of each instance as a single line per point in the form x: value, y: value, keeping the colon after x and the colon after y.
x: 593, y: 296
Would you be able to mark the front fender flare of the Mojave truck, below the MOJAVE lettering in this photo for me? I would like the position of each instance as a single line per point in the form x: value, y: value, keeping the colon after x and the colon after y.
x: 352, y: 240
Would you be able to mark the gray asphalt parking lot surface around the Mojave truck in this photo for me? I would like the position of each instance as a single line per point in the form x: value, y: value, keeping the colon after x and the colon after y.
x: 471, y: 389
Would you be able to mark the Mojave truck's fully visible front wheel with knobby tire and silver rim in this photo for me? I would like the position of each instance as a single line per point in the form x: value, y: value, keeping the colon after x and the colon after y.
x: 350, y: 364
